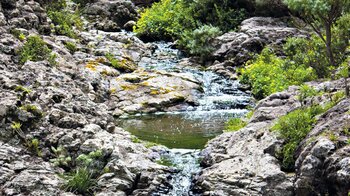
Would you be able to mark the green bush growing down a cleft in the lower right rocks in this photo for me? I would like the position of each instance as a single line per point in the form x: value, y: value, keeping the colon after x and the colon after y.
x: 293, y: 128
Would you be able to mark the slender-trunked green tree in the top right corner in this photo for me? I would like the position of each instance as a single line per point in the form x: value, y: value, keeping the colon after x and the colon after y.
x: 321, y: 15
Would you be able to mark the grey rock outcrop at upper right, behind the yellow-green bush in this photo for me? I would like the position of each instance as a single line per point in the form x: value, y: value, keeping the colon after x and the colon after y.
x: 236, y: 48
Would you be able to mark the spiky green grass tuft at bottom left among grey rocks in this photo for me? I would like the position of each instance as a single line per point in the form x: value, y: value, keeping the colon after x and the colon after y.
x: 80, y: 181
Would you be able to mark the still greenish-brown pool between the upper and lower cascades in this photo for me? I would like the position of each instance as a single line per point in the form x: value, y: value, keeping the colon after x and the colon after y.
x: 190, y: 130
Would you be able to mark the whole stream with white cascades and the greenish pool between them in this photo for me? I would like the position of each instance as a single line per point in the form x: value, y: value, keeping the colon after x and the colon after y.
x: 186, y: 132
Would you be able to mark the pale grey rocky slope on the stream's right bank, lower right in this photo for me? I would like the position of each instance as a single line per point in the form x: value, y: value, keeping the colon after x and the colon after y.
x: 245, y: 163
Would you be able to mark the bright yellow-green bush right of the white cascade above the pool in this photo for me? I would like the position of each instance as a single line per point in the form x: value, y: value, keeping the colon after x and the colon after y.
x: 268, y: 74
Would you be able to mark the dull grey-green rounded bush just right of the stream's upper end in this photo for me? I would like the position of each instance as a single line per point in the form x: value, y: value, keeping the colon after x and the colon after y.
x: 199, y: 41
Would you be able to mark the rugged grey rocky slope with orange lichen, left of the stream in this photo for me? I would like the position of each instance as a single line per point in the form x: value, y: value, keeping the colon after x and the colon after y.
x: 71, y: 106
